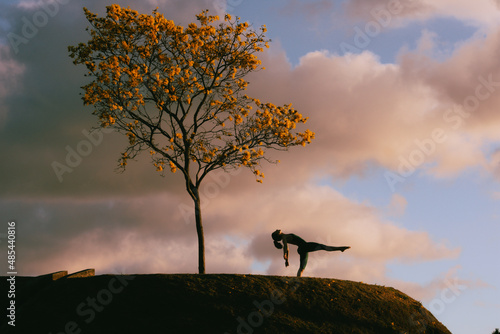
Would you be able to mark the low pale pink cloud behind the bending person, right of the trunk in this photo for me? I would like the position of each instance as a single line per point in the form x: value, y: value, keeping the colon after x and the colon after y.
x: 323, y: 215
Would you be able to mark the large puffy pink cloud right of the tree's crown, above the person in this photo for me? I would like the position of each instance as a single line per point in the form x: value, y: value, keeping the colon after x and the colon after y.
x: 352, y: 131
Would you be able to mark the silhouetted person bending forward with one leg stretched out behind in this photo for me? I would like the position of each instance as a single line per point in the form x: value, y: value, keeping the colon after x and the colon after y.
x: 304, y: 248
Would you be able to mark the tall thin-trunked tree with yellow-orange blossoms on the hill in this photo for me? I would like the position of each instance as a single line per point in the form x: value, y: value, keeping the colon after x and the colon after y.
x: 179, y: 93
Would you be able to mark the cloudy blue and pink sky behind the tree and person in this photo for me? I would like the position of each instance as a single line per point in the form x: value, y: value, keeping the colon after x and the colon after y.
x: 404, y: 98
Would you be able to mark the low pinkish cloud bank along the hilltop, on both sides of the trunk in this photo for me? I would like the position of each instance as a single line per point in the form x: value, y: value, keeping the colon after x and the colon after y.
x: 145, y: 234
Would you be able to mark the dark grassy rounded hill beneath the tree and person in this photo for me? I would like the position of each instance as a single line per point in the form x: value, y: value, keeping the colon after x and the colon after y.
x: 213, y: 304
